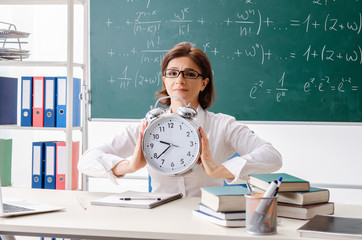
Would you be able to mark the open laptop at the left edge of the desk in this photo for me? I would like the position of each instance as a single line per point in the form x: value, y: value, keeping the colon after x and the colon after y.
x: 17, y: 207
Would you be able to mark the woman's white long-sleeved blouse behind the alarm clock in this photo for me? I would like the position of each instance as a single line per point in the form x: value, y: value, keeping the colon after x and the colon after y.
x: 226, y: 136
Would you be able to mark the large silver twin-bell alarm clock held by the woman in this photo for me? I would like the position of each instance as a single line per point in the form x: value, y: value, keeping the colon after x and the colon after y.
x: 171, y: 141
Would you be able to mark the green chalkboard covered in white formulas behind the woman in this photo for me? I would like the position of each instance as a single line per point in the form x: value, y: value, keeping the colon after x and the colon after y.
x: 273, y: 60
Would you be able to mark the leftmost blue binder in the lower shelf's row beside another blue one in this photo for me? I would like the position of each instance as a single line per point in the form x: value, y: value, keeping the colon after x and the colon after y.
x: 38, y: 165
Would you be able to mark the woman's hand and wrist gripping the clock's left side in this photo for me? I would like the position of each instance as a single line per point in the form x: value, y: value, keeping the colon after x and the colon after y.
x: 138, y: 160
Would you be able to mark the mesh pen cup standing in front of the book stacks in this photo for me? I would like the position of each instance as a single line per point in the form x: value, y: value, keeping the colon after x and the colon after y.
x: 261, y: 214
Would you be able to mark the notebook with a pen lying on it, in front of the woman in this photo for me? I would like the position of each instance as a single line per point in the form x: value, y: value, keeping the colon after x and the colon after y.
x: 137, y: 199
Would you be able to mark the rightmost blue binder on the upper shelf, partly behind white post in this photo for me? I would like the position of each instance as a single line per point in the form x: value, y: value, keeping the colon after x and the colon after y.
x: 61, y: 103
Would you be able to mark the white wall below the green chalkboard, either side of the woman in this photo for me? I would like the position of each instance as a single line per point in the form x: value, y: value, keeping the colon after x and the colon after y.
x: 322, y: 154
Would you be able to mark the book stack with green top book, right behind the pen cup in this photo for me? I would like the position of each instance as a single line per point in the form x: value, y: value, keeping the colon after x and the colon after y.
x: 296, y: 199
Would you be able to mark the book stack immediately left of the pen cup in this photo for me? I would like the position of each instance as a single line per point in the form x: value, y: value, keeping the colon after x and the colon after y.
x: 223, y: 205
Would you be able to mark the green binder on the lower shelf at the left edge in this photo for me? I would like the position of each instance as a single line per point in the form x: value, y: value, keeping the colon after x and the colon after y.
x: 5, y: 161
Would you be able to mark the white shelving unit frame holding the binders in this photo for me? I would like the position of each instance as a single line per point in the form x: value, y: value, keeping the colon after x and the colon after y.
x: 70, y: 65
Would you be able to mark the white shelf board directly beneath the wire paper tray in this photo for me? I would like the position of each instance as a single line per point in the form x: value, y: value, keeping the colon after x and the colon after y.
x: 38, y: 63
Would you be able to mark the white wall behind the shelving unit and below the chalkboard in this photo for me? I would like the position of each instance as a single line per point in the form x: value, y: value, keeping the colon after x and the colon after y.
x: 318, y: 153
